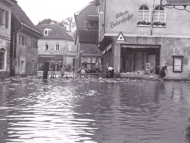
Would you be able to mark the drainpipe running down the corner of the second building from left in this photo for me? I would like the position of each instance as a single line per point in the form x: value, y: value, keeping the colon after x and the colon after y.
x: 14, y: 46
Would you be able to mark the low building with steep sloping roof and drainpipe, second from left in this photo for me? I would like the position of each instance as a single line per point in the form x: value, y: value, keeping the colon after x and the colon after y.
x: 24, y: 49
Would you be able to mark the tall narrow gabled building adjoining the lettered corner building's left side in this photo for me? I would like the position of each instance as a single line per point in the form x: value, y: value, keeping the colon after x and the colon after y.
x: 86, y: 37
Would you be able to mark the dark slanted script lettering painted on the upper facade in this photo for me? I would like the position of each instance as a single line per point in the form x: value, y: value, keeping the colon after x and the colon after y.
x: 121, y: 18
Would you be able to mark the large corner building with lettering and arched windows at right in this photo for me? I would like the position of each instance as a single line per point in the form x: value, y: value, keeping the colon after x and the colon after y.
x: 137, y: 33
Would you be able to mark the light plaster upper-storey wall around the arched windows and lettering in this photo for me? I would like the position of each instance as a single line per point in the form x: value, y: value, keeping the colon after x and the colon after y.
x: 177, y: 21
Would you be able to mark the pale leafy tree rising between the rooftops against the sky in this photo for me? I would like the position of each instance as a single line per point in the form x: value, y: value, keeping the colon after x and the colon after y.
x: 68, y: 23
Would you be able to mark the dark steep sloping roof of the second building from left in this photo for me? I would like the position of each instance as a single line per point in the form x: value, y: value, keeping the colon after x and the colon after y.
x: 23, y: 18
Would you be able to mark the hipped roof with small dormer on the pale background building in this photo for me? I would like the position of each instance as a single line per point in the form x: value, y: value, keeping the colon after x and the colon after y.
x: 55, y: 32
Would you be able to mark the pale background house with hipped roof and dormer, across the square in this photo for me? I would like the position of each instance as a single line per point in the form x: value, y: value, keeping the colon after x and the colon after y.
x: 55, y: 45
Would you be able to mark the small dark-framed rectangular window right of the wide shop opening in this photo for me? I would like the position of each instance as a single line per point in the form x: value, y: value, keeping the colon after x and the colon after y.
x: 179, y: 57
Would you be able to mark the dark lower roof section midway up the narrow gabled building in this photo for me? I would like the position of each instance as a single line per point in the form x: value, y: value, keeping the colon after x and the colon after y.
x: 88, y: 36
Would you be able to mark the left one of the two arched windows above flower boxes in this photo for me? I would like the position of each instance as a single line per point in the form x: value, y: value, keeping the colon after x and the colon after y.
x: 144, y: 14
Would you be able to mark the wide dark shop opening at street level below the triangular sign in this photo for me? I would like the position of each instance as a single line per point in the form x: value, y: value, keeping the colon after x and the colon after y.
x: 141, y: 60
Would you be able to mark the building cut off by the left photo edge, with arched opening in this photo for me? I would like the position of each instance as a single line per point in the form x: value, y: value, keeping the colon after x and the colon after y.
x: 5, y: 36
